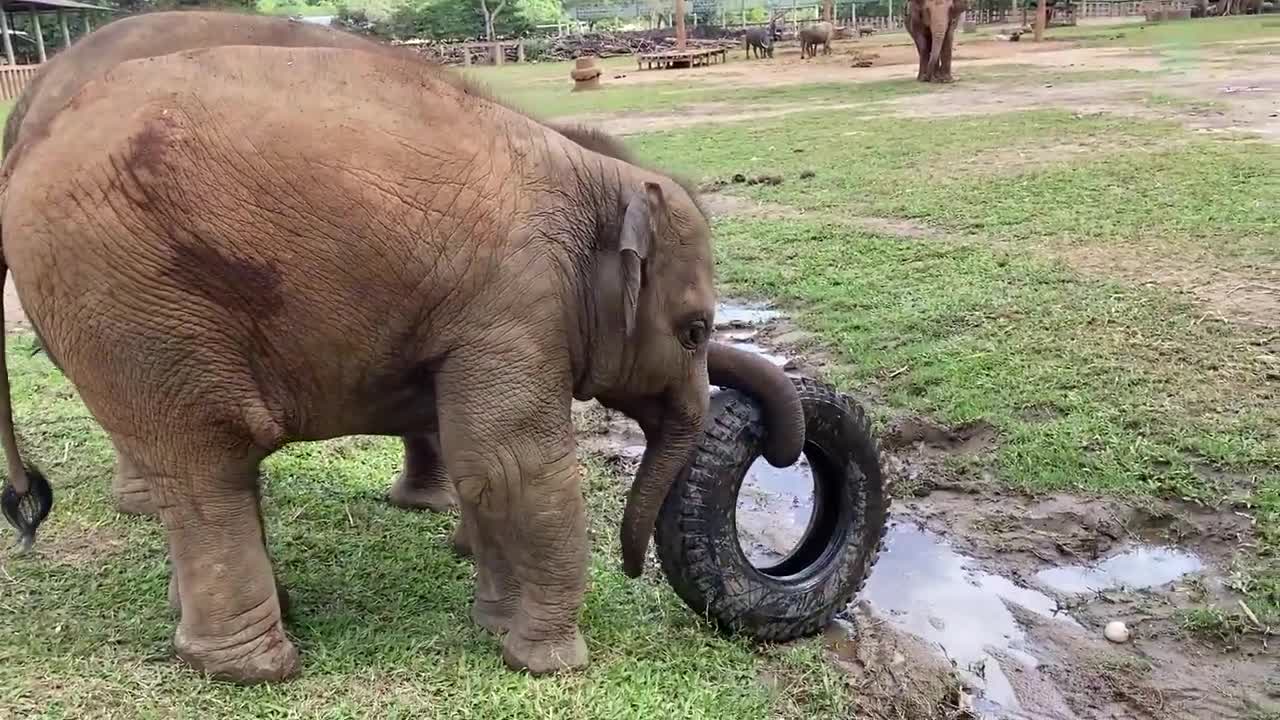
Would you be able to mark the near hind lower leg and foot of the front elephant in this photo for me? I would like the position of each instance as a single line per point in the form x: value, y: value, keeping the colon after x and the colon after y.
x: 231, y: 625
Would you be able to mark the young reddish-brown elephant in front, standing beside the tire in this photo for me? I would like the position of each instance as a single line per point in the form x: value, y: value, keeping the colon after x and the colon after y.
x: 444, y: 266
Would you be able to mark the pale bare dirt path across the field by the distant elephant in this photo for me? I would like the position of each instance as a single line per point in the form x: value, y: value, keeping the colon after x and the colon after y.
x: 1241, y: 97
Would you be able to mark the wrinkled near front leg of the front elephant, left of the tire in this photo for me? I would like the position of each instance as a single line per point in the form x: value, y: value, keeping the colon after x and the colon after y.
x: 514, y: 457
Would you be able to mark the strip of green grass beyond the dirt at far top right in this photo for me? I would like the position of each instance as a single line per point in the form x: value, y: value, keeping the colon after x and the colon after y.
x: 1182, y: 33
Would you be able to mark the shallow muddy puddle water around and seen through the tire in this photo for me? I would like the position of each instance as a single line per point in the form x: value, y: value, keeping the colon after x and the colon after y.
x: 996, y: 627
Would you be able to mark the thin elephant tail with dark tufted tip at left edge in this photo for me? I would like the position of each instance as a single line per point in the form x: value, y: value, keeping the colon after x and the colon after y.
x: 28, y: 498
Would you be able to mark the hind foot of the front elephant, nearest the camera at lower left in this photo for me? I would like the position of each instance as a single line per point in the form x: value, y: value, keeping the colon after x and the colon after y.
x: 259, y: 654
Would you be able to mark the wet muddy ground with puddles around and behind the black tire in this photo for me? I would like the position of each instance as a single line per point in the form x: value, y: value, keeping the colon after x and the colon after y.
x: 1003, y: 600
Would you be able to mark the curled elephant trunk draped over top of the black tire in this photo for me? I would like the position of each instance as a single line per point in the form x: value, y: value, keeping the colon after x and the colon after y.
x: 784, y: 417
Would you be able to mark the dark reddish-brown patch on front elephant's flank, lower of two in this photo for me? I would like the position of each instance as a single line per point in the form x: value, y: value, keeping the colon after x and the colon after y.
x: 227, y: 281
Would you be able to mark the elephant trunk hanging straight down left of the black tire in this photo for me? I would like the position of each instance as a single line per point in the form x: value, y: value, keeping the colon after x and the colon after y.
x: 670, y: 443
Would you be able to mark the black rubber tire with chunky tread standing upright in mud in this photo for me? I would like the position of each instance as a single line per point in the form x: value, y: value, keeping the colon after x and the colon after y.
x: 697, y: 531
